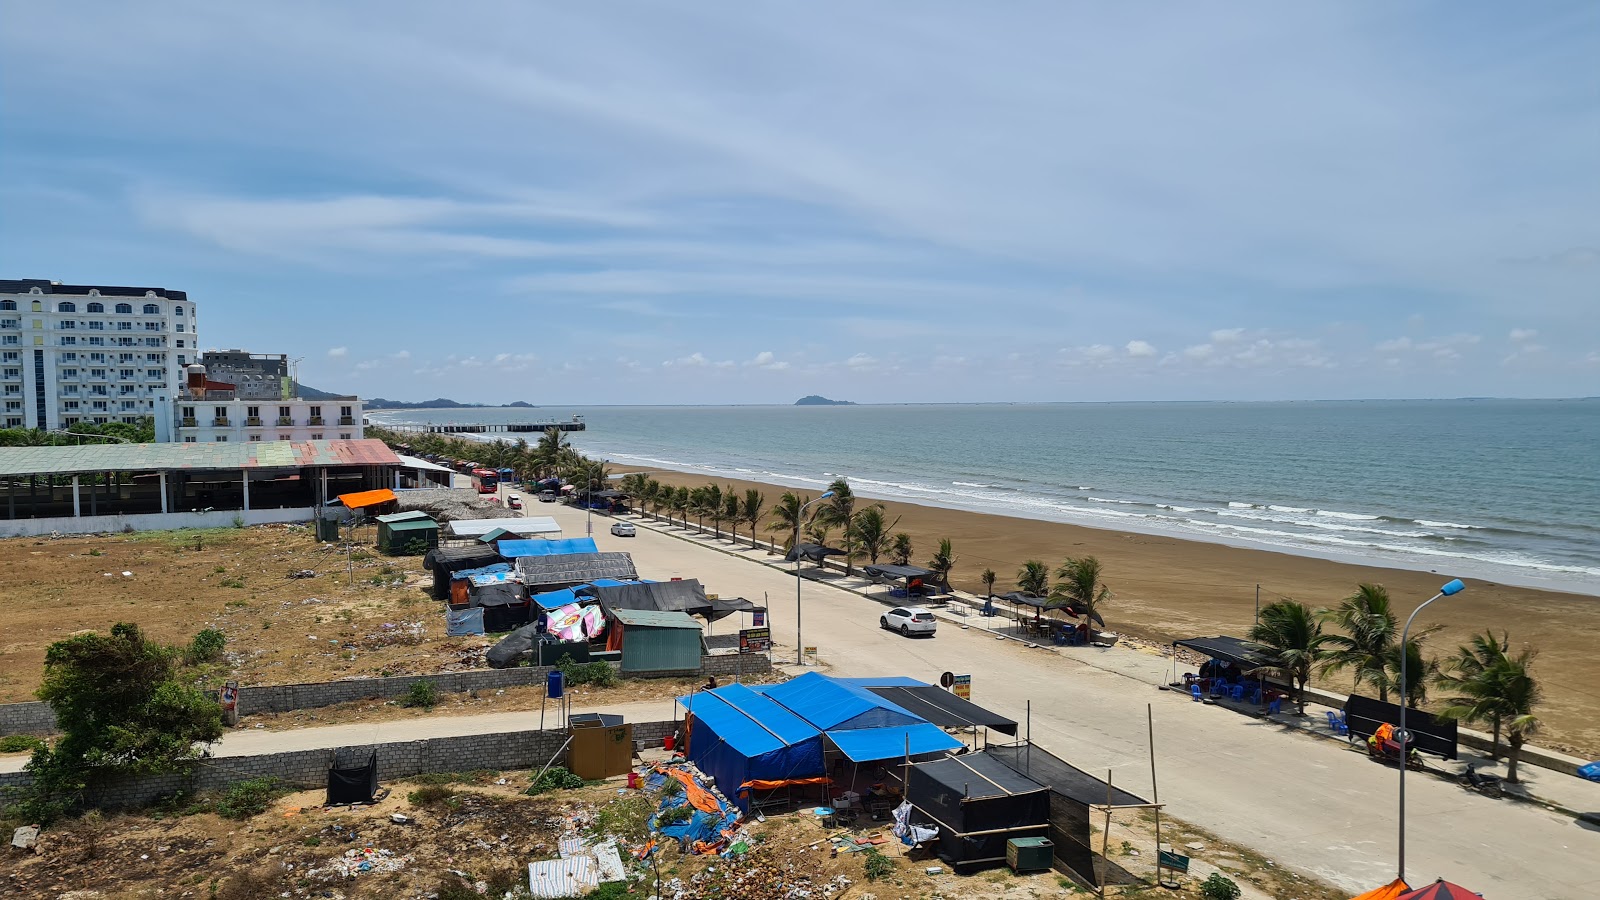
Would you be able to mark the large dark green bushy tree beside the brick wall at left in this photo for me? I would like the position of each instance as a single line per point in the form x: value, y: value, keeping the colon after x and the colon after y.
x: 124, y: 709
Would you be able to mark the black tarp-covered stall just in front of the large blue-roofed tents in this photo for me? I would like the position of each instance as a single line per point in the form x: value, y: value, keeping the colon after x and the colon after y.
x: 978, y: 805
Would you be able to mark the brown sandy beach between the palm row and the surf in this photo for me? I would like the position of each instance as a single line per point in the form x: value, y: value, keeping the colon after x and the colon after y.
x: 1169, y: 589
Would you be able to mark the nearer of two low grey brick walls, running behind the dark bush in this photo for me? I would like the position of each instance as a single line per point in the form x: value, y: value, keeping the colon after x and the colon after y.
x: 310, y: 768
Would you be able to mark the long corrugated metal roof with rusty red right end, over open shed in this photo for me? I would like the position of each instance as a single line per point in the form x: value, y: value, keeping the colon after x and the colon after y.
x: 167, y: 457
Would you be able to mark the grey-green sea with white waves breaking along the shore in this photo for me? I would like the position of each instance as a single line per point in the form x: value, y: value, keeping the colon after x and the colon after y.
x: 1505, y: 491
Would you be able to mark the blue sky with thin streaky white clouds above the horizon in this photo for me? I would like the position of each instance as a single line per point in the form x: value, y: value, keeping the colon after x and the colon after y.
x: 745, y: 203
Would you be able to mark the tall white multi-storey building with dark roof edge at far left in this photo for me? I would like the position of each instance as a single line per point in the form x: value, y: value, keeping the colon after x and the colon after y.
x: 90, y: 353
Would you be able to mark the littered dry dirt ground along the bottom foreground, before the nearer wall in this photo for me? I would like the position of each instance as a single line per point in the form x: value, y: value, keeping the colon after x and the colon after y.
x: 478, y: 832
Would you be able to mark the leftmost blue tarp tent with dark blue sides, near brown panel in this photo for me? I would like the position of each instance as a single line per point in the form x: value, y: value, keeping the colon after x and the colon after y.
x: 742, y: 736
